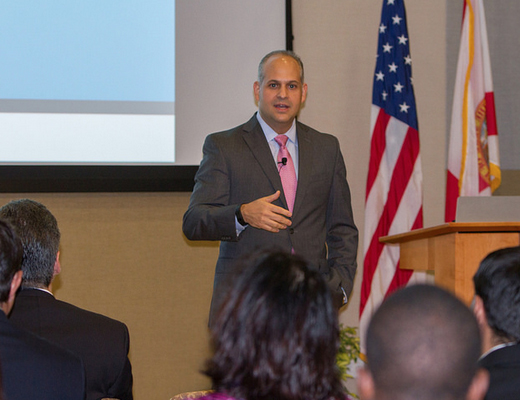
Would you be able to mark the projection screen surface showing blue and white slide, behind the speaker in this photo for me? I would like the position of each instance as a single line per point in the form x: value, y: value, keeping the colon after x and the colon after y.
x: 127, y: 82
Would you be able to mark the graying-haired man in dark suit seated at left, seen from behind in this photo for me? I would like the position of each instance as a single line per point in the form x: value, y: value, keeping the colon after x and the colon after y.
x: 101, y: 342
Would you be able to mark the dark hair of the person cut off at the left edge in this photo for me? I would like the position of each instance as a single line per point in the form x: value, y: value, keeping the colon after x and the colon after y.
x: 10, y: 258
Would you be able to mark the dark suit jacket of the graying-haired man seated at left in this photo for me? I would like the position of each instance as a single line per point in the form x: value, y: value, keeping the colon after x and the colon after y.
x: 101, y: 342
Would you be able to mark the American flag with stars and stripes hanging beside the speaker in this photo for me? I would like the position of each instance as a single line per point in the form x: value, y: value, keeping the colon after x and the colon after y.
x: 393, y: 201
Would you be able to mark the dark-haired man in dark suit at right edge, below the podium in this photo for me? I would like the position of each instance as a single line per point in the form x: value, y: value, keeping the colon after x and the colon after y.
x: 497, y: 308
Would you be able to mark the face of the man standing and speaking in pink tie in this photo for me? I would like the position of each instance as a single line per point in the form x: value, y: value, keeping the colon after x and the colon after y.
x: 281, y: 93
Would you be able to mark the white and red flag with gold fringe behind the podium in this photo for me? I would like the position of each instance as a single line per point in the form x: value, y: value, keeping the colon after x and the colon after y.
x: 473, y: 159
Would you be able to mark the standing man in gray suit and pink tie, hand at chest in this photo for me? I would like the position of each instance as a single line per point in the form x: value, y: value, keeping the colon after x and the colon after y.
x: 239, y: 199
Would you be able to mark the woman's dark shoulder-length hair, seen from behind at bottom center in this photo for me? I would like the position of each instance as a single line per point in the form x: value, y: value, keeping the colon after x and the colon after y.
x: 276, y: 335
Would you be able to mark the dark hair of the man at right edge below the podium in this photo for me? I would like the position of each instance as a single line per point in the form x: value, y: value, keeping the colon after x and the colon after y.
x: 497, y: 283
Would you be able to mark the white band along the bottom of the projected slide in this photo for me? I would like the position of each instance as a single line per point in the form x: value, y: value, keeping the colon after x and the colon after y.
x: 87, y: 138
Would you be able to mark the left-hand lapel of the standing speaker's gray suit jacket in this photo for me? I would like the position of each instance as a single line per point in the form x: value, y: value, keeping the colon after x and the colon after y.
x: 255, y: 139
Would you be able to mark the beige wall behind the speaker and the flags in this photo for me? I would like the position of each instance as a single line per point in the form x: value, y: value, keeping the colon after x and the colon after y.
x: 124, y: 255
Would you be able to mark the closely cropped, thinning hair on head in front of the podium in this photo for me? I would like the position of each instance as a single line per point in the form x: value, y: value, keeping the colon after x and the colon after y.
x: 423, y: 343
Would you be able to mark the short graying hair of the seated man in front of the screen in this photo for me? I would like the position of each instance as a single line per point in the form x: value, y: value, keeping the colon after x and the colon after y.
x: 40, y: 236
